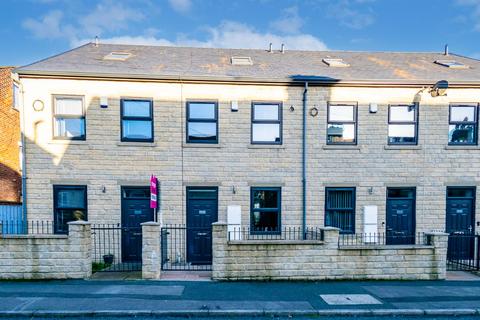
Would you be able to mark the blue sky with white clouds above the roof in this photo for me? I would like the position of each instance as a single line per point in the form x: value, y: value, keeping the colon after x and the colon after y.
x: 34, y: 29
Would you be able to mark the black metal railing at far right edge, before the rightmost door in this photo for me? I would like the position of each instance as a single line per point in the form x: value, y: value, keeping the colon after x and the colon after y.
x: 463, y: 252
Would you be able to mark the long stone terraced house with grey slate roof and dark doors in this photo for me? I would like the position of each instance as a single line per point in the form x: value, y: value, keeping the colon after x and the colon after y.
x: 268, y: 140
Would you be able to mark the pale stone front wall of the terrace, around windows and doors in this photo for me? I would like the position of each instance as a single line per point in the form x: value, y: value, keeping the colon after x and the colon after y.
x: 102, y: 160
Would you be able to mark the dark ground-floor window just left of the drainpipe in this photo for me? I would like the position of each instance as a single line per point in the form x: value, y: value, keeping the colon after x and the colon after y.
x: 265, y: 206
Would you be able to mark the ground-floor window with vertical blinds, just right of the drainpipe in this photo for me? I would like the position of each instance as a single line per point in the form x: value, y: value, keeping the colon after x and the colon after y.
x: 340, y: 209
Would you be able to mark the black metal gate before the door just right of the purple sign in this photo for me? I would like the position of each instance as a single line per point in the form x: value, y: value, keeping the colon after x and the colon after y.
x: 186, y: 248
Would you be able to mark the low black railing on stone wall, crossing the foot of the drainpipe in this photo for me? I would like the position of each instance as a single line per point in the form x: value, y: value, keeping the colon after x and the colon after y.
x: 285, y: 233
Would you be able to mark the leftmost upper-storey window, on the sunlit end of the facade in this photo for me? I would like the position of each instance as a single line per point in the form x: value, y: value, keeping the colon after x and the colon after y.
x: 69, y: 118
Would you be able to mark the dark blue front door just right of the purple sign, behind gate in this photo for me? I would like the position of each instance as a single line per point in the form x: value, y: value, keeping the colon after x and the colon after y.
x: 202, y: 211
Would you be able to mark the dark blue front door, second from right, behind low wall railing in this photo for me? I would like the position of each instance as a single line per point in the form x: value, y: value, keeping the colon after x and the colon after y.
x: 400, y: 227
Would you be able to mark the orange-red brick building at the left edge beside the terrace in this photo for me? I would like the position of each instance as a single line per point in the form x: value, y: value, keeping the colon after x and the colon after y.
x: 10, y: 179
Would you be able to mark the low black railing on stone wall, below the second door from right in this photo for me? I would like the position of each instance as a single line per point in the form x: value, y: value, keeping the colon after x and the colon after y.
x: 373, y: 239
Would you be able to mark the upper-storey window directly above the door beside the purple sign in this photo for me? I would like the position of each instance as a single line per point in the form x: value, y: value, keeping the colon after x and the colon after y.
x: 137, y: 120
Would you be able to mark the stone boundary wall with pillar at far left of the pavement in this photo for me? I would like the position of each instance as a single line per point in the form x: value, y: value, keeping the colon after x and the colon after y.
x: 47, y: 256
